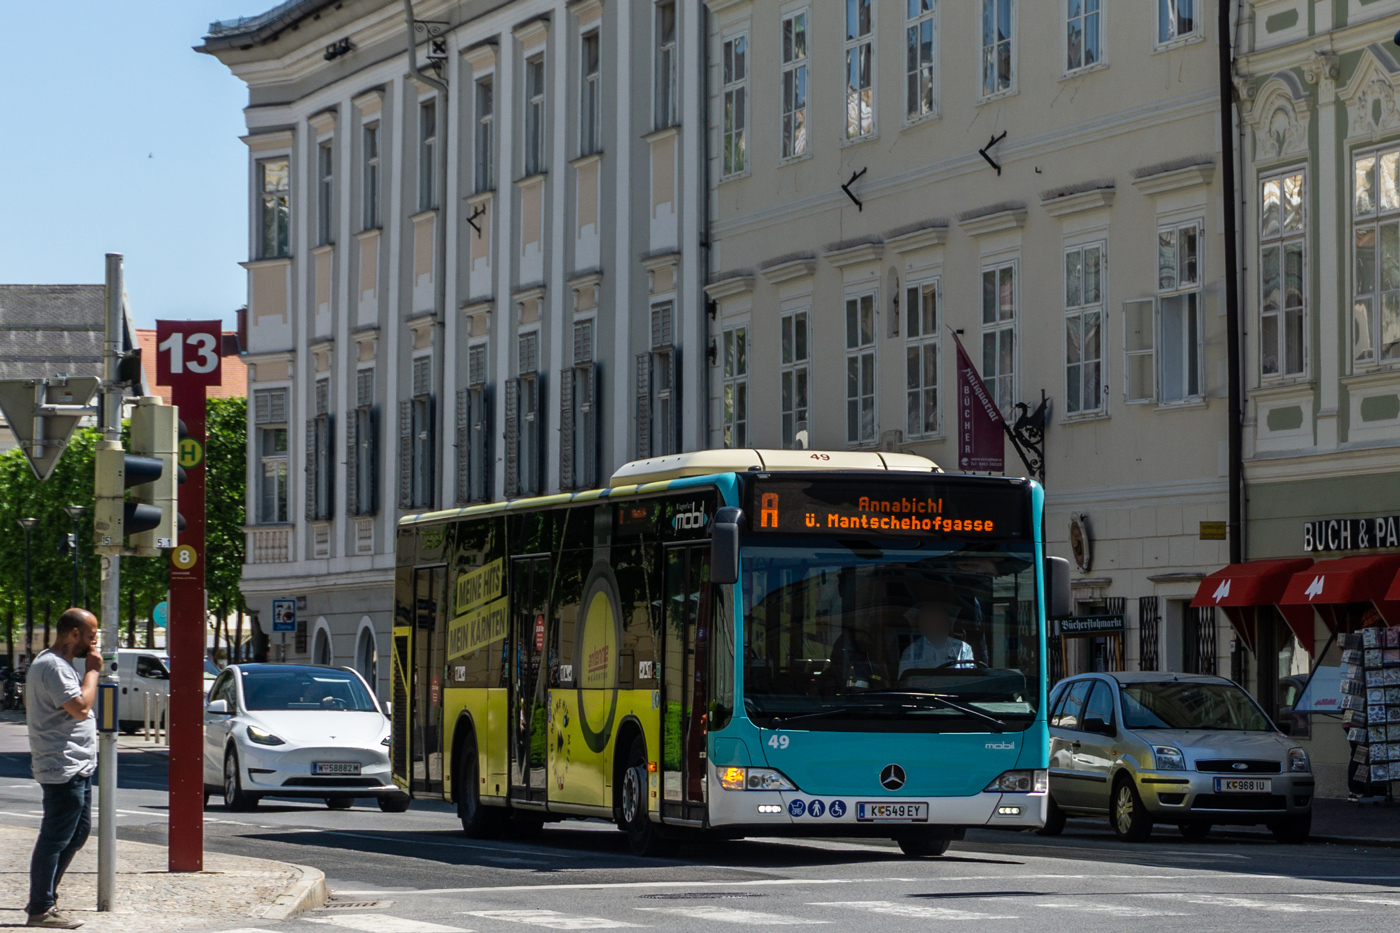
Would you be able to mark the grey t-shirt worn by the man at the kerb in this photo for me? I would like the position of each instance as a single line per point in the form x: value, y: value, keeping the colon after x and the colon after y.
x: 61, y: 747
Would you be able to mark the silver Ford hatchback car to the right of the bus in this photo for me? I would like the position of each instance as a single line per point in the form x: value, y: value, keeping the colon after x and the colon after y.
x: 1193, y: 750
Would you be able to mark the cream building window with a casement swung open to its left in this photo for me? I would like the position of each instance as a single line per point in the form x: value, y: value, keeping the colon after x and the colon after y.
x: 1189, y: 291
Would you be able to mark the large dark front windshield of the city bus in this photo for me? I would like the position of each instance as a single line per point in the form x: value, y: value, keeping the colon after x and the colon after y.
x: 891, y: 635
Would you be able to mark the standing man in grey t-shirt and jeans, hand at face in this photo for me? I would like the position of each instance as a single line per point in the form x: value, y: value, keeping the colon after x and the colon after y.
x: 64, y: 757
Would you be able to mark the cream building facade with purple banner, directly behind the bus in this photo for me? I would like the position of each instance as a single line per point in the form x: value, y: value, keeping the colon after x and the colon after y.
x: 1041, y: 181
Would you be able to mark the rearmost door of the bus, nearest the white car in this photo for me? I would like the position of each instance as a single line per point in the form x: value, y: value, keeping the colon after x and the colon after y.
x: 429, y: 669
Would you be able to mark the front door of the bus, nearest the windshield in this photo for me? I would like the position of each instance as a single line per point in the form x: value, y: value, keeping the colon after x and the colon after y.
x: 685, y: 683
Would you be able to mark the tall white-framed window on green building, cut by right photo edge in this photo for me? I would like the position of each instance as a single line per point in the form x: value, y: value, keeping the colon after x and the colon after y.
x: 1374, y: 219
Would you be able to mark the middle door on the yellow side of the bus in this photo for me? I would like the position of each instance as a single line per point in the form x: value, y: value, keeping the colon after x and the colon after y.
x: 530, y: 596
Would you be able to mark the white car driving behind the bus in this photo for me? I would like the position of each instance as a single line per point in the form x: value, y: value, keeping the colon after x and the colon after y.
x: 295, y: 731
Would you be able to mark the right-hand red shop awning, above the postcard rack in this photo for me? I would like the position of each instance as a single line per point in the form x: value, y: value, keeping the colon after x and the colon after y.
x: 1335, y: 588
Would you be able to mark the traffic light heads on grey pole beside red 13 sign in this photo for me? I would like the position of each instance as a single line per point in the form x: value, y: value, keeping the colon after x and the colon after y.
x: 149, y: 519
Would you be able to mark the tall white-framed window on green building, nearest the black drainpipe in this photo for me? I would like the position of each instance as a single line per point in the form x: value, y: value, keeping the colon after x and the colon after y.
x: 1283, y: 240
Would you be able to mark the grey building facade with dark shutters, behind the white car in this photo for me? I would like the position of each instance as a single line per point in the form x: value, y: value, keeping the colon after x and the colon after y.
x: 471, y: 281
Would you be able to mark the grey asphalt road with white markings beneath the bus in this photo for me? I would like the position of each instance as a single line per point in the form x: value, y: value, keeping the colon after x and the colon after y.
x: 415, y: 873
